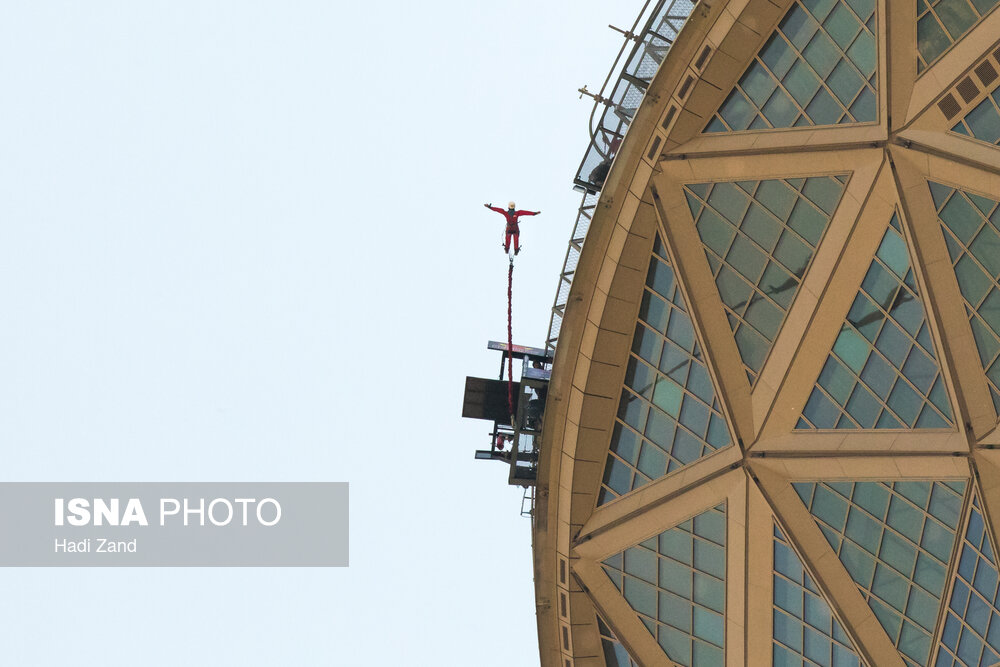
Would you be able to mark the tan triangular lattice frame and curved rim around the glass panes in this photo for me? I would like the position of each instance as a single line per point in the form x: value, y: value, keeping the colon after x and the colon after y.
x: 886, y: 165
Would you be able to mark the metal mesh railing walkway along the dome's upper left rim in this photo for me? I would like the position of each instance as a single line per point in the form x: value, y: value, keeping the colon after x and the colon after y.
x: 625, y: 85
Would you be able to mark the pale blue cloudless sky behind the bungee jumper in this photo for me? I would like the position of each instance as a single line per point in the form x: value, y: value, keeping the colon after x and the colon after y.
x: 245, y: 241
